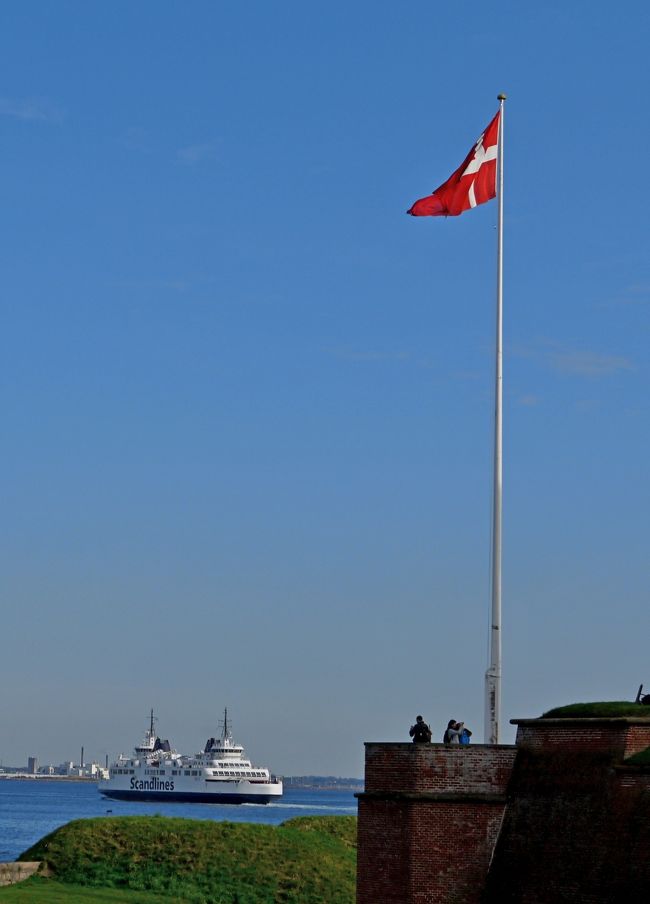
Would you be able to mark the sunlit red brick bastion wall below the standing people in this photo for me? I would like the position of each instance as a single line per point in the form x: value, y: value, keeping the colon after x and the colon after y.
x: 428, y: 821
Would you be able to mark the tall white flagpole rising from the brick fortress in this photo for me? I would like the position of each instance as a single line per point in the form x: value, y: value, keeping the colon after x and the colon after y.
x: 493, y: 674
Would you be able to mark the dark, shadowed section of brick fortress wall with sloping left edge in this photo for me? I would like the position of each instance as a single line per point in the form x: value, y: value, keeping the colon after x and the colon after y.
x: 577, y: 824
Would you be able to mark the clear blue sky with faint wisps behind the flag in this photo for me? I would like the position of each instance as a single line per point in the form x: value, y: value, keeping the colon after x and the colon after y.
x: 247, y: 402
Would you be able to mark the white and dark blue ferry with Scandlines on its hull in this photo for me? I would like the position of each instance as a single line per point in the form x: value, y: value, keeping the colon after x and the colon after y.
x: 219, y: 774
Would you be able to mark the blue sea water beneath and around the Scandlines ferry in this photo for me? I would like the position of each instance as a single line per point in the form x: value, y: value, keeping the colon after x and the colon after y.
x: 31, y: 809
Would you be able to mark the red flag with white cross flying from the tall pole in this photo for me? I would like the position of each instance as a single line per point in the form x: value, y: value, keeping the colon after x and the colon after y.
x: 474, y: 182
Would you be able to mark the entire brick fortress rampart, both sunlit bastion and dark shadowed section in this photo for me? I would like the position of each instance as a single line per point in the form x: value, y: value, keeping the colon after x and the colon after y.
x: 557, y: 817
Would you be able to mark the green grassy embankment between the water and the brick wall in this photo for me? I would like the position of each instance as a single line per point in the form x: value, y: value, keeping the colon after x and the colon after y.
x: 311, y: 860
